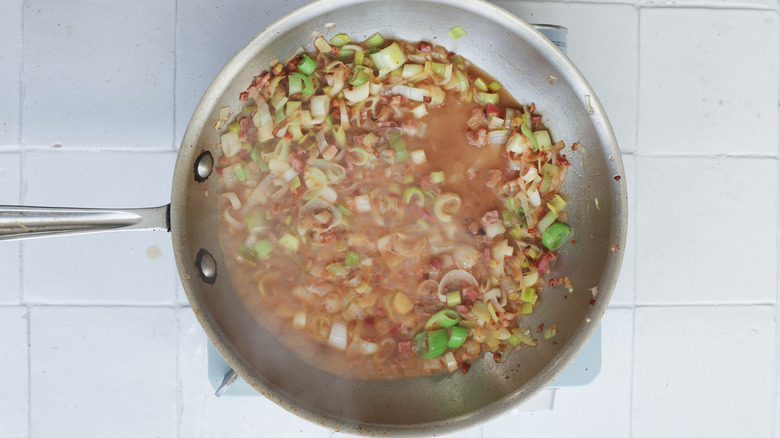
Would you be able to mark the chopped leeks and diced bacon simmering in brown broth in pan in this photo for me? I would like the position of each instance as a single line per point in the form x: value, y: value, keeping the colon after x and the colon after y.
x: 388, y: 210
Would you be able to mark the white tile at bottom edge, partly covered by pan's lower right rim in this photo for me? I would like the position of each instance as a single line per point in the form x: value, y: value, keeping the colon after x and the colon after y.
x: 574, y: 411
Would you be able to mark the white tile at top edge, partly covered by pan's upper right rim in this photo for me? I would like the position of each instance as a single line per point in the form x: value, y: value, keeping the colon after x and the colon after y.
x: 612, y: 73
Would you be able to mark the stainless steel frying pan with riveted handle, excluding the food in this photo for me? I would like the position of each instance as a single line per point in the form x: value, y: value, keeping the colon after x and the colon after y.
x: 533, y: 70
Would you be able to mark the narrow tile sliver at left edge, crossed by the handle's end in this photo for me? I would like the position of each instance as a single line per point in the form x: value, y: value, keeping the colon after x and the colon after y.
x: 10, y: 277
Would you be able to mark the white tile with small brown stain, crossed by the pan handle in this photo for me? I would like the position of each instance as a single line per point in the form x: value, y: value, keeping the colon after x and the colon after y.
x: 133, y: 267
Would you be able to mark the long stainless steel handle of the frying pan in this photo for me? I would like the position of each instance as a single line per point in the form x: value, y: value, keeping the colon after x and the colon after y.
x: 18, y: 222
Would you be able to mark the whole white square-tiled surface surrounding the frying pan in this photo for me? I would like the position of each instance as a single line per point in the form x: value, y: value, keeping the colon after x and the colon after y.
x: 97, y: 338
